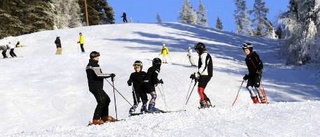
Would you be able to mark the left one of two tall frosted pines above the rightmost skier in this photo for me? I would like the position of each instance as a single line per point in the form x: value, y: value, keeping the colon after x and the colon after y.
x: 243, y: 21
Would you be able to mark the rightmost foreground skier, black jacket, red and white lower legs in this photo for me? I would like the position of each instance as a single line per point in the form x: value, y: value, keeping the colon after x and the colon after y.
x: 255, y: 68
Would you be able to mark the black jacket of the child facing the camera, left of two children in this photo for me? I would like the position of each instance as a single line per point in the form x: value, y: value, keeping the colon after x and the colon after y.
x: 137, y: 79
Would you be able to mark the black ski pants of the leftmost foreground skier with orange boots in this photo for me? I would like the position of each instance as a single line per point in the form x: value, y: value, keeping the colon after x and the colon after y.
x: 103, y: 101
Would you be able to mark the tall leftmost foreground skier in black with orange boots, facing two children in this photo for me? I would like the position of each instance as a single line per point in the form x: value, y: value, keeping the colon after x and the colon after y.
x: 95, y: 82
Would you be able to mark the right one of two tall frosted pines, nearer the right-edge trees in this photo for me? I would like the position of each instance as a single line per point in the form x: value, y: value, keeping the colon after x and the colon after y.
x: 260, y: 20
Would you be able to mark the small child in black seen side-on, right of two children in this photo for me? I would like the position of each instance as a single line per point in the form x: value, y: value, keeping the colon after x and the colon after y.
x: 151, y: 81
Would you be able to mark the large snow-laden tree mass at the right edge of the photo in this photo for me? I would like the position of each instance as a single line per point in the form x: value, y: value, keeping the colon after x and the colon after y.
x: 302, y: 26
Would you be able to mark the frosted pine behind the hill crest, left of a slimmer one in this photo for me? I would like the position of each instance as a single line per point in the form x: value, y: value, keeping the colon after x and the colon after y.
x: 187, y: 13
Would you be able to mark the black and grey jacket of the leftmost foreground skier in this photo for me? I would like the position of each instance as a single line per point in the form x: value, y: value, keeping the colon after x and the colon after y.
x: 95, y: 75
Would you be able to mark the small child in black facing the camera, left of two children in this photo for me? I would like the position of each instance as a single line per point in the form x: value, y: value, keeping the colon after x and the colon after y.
x: 136, y: 78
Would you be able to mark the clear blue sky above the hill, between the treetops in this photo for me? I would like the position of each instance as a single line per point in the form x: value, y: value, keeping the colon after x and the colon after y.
x: 145, y: 11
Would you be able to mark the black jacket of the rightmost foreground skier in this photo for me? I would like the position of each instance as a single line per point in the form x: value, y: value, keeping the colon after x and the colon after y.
x: 254, y: 64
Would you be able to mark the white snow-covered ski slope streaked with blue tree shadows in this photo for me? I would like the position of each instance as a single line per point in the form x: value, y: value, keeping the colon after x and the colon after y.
x: 43, y: 94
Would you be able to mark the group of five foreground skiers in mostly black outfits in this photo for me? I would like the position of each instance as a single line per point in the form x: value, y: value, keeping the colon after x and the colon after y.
x: 144, y: 83
